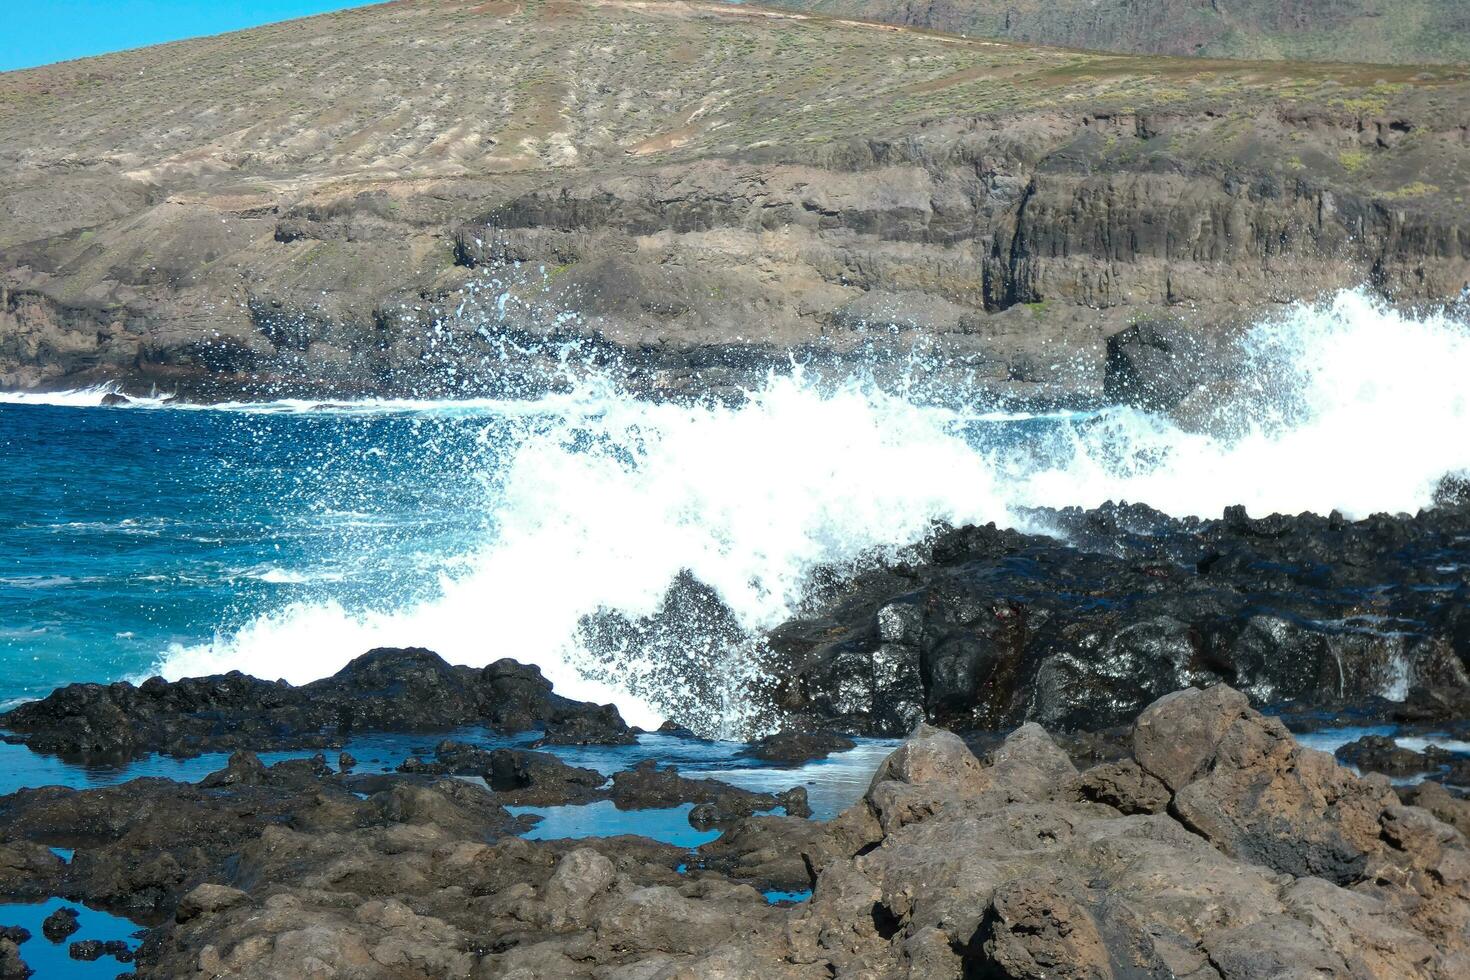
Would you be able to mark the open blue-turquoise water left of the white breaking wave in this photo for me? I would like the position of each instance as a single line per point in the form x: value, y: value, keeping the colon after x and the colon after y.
x: 124, y: 533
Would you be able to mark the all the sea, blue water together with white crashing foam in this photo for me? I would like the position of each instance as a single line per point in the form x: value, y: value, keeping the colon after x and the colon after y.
x: 287, y: 538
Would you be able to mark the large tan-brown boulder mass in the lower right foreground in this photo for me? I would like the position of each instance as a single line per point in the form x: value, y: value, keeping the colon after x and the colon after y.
x: 996, y: 882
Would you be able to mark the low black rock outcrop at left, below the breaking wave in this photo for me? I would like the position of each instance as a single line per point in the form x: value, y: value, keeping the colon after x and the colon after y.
x: 381, y: 691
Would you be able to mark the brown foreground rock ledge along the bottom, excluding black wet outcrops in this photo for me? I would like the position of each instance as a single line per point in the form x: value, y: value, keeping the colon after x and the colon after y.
x: 1215, y: 849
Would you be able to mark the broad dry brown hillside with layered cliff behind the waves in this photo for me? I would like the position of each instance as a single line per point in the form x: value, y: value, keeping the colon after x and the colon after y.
x: 293, y: 208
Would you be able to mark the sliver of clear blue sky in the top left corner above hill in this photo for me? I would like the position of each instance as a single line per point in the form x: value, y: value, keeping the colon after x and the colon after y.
x: 43, y: 32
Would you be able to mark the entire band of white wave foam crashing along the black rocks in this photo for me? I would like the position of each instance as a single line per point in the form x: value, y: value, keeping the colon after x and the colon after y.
x: 1350, y: 406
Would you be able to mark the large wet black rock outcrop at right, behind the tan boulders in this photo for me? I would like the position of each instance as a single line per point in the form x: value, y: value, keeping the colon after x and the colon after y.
x: 1081, y: 631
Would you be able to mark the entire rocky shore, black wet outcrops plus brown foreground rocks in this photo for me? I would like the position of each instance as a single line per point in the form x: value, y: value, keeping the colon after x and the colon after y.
x: 1155, y: 824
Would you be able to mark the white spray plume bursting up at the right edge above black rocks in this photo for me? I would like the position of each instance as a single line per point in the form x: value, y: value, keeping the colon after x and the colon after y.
x: 1347, y: 406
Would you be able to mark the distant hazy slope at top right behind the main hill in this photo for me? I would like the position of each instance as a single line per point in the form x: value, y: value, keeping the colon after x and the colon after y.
x: 1372, y: 32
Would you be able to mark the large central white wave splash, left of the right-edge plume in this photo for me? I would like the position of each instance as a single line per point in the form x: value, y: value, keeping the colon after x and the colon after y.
x: 608, y: 508
